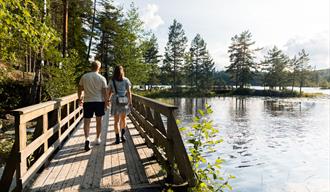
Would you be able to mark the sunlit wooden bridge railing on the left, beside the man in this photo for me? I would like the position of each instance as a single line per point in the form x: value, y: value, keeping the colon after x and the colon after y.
x: 52, y: 122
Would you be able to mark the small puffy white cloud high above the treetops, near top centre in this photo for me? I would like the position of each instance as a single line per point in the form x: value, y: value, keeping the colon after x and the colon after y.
x: 151, y: 18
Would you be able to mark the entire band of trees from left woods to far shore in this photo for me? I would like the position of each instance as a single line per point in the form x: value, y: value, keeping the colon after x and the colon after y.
x: 46, y: 46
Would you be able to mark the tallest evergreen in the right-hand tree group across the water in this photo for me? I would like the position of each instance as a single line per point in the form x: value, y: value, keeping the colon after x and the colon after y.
x: 242, y: 59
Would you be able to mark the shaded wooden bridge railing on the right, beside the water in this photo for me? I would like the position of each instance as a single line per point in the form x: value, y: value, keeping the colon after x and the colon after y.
x: 156, y: 123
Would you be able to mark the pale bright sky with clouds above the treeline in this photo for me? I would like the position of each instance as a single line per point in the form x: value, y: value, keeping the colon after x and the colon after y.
x: 291, y: 25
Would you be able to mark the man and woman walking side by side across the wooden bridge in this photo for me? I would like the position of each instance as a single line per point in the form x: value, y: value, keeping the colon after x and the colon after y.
x: 96, y: 99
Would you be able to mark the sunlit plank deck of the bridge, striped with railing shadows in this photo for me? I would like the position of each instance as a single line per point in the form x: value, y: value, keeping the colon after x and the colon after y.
x: 129, y: 166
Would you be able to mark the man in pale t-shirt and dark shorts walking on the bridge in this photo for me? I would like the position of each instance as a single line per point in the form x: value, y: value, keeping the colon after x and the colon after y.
x: 94, y: 86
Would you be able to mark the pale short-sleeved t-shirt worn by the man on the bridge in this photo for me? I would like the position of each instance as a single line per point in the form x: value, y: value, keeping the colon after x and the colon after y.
x: 93, y: 84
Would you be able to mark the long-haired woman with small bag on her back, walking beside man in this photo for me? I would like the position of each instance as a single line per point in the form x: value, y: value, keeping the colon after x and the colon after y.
x: 121, y: 100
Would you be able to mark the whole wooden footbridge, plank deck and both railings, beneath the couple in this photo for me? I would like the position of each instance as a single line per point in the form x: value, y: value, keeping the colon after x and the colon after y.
x: 53, y: 159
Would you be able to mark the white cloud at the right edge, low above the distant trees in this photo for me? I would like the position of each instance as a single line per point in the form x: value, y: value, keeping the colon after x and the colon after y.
x: 317, y: 46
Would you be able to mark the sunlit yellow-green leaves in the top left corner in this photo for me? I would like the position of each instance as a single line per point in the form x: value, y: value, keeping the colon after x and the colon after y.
x: 22, y: 27
